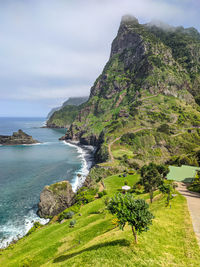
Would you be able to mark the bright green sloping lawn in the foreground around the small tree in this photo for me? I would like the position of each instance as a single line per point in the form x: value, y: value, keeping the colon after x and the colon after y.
x: 94, y: 241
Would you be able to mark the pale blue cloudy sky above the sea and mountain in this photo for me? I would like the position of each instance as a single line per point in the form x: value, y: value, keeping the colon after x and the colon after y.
x: 54, y: 49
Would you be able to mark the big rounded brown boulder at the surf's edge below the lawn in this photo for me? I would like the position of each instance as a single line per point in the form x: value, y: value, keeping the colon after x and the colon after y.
x: 55, y: 198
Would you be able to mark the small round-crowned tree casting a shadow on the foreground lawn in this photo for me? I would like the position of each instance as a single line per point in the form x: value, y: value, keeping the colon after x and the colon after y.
x: 135, y: 212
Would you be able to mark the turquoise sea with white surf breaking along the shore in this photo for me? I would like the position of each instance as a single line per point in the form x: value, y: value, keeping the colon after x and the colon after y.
x: 26, y: 169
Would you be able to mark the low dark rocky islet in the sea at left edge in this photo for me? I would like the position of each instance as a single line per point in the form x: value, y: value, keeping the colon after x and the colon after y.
x: 18, y: 138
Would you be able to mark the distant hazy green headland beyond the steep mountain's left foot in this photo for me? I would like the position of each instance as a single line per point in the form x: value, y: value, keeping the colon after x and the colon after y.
x: 62, y: 117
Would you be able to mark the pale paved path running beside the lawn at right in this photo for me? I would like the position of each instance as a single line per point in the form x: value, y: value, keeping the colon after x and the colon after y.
x: 193, y: 201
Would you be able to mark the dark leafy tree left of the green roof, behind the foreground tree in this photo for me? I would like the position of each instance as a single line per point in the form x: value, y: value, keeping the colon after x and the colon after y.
x: 152, y: 176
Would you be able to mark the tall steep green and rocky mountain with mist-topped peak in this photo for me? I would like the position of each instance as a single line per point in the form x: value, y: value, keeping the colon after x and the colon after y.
x: 149, y: 84
